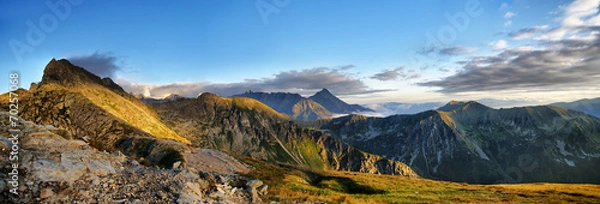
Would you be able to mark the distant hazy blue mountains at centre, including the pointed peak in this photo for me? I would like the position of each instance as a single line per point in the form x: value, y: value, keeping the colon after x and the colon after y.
x: 319, y: 106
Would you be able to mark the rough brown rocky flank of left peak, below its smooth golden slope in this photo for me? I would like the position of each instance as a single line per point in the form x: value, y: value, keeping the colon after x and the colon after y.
x: 57, y: 106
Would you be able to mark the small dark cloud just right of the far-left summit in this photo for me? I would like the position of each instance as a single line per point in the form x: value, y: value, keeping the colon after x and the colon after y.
x: 101, y: 64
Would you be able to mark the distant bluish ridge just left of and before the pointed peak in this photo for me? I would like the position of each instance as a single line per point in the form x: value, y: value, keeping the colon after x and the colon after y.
x: 291, y: 104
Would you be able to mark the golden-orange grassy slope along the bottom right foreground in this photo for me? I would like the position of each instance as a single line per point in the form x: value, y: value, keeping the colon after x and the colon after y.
x: 289, y: 184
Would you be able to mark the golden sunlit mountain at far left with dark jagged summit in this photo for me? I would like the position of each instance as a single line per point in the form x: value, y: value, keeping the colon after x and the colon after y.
x: 98, y: 112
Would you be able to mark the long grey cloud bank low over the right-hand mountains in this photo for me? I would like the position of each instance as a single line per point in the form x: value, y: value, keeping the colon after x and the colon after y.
x: 573, y: 66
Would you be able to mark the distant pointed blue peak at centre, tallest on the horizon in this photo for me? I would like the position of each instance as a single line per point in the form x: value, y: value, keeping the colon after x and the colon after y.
x: 334, y: 104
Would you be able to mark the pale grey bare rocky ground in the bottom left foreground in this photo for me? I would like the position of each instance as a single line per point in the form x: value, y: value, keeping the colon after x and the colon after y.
x: 56, y: 169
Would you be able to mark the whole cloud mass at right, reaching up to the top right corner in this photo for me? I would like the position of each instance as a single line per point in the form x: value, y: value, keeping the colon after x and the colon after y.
x: 560, y: 63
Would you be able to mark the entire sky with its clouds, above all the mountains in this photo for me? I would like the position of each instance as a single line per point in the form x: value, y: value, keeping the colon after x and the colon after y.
x: 364, y: 52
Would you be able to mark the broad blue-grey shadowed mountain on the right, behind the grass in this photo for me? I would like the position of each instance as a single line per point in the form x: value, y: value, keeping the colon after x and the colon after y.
x: 467, y: 141
